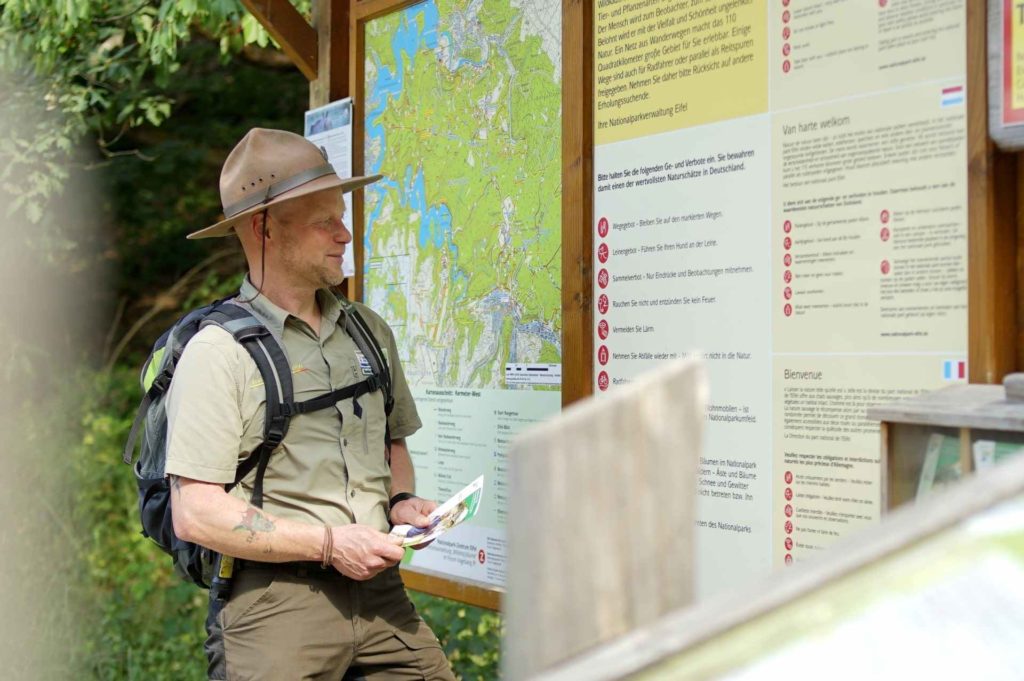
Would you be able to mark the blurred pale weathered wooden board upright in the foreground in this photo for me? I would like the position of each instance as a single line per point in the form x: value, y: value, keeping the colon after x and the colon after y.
x: 602, y: 543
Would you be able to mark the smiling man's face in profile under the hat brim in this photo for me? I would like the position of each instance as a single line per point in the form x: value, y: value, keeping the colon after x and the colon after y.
x: 313, y: 238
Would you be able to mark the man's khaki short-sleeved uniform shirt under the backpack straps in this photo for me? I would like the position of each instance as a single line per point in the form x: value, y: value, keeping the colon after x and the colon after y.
x: 331, y: 467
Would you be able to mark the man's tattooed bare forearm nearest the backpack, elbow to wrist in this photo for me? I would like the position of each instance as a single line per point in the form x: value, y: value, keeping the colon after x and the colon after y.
x: 207, y: 516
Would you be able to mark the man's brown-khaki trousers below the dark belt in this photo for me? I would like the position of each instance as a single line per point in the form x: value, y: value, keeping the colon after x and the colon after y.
x: 284, y: 624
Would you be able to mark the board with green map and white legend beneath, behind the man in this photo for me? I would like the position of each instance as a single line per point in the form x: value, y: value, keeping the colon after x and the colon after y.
x: 462, y: 242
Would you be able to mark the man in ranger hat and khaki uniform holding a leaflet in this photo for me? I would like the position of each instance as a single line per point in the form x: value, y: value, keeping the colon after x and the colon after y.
x: 318, y: 589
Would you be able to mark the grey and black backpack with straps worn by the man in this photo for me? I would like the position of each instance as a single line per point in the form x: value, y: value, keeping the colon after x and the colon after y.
x: 193, y: 563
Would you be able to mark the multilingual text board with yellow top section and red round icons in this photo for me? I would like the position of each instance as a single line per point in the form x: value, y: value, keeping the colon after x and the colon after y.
x: 781, y: 188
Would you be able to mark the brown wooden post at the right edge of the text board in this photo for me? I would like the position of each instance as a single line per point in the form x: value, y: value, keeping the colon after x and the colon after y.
x: 993, y: 226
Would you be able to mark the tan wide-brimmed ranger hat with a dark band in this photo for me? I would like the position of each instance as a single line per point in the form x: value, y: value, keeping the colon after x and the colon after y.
x: 271, y: 167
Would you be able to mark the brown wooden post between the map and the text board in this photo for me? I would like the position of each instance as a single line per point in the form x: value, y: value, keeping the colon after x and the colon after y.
x: 578, y: 200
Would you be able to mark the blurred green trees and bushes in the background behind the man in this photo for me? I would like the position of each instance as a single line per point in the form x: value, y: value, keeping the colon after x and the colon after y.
x: 129, y: 111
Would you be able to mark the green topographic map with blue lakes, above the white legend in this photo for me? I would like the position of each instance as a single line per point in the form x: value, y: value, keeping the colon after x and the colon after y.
x: 463, y: 119
